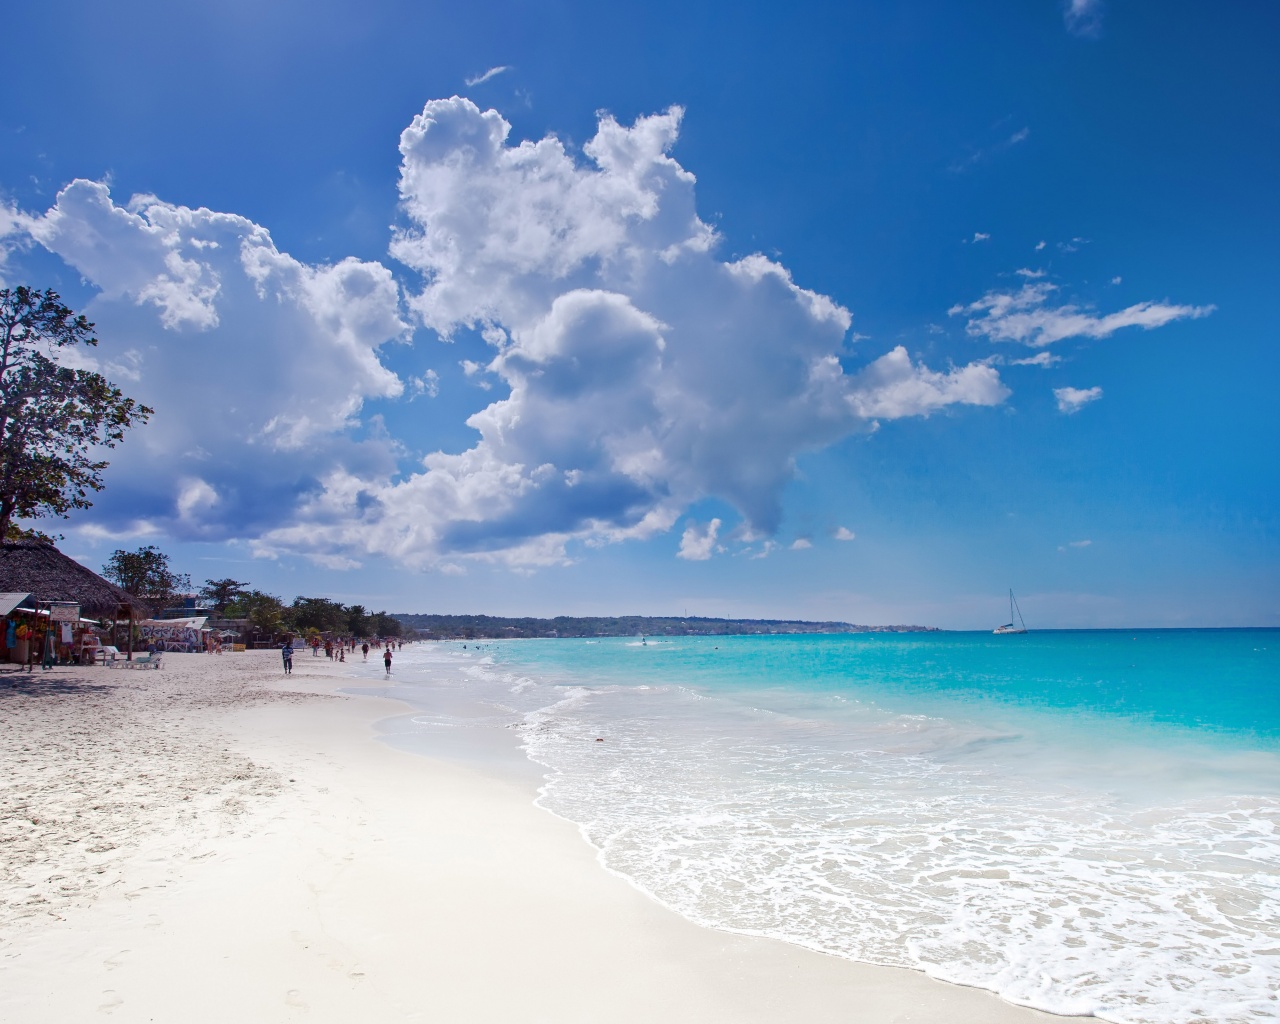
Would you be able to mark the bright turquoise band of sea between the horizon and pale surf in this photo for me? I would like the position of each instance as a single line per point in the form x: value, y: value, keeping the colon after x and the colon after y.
x: 1214, y: 680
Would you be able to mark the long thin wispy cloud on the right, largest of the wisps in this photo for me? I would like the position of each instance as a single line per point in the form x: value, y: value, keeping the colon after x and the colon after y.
x: 1026, y: 317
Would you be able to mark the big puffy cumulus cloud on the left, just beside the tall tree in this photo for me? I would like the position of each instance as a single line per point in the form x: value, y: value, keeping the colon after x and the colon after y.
x: 257, y: 364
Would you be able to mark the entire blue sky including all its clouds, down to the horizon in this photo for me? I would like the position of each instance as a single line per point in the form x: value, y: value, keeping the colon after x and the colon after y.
x: 862, y: 312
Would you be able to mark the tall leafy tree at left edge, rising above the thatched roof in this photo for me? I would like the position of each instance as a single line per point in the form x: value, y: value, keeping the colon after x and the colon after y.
x: 53, y: 418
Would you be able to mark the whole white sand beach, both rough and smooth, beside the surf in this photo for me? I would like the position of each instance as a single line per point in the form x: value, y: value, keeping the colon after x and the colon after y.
x: 216, y: 843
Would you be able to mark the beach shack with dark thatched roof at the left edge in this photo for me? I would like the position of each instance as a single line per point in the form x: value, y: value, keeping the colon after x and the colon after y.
x: 58, y: 605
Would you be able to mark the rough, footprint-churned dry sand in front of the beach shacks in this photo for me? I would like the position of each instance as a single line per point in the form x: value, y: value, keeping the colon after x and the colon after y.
x: 99, y: 764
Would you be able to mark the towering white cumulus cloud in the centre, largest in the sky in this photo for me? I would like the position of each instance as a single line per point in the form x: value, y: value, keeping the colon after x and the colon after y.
x: 642, y: 372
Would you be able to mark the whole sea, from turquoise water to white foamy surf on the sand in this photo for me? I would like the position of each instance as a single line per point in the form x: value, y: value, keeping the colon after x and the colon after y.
x: 1087, y: 822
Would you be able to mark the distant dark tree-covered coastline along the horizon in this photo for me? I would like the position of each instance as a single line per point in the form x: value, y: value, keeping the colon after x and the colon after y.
x: 496, y: 628
